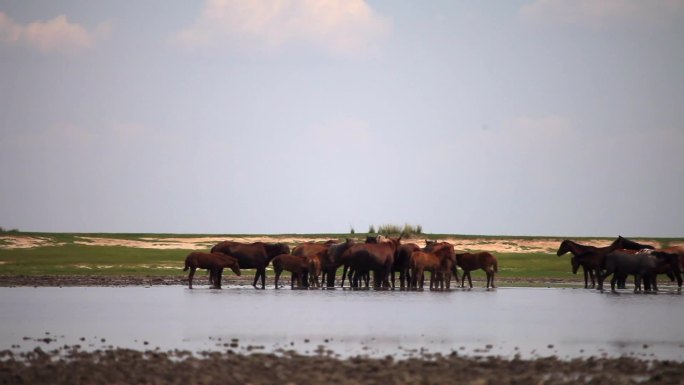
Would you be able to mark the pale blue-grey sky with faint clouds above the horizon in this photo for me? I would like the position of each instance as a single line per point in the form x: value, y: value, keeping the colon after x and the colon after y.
x: 529, y: 117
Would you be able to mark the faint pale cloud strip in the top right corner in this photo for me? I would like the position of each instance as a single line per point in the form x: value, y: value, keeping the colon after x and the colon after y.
x: 595, y: 13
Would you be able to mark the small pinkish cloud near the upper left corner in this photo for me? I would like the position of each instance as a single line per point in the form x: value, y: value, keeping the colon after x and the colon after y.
x: 56, y: 35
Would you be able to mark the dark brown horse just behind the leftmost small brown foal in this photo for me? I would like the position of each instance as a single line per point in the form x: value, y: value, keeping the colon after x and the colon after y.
x: 253, y: 255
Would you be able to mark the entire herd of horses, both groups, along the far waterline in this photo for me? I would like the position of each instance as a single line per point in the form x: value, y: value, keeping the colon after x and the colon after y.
x: 315, y: 264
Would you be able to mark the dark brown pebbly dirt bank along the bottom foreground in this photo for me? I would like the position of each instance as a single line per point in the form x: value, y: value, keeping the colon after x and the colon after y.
x: 121, y: 366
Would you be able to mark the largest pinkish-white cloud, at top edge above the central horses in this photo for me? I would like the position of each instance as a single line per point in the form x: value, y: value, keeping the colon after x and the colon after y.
x: 340, y: 27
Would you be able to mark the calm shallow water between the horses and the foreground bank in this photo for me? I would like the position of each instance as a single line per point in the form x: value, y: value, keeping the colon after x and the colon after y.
x: 507, y: 321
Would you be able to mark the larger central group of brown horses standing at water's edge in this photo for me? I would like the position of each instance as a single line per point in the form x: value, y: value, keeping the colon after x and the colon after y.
x: 315, y: 264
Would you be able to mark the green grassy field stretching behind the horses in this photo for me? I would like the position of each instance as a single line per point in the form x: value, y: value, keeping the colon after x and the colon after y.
x: 64, y: 254
